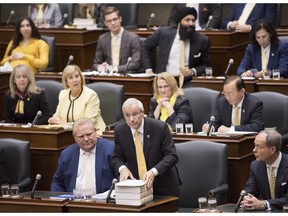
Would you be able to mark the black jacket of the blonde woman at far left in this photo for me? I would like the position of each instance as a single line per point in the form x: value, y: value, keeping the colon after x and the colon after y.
x: 32, y: 104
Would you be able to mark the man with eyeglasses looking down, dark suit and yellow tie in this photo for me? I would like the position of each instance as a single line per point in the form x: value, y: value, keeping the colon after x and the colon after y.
x: 237, y: 110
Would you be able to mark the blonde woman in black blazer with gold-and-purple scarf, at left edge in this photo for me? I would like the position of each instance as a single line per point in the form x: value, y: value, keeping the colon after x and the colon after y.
x: 24, y: 99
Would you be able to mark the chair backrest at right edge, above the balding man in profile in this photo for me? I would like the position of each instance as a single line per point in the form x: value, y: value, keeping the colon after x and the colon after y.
x: 275, y: 110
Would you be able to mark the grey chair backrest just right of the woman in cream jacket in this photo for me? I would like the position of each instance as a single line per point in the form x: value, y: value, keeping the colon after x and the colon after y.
x: 111, y: 98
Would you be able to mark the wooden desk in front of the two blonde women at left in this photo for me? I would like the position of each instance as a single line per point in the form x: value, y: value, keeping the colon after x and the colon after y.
x: 46, y: 146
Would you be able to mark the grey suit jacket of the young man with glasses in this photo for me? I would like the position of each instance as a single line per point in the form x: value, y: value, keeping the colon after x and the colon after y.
x: 130, y: 47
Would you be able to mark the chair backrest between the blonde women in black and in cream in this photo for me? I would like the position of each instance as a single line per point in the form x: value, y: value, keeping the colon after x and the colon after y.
x: 51, y: 89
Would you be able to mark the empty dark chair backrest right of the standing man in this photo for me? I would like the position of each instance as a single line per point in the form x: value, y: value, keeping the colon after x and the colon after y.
x: 202, y: 166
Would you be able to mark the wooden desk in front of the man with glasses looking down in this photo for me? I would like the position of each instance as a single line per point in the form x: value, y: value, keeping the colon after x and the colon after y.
x: 239, y: 158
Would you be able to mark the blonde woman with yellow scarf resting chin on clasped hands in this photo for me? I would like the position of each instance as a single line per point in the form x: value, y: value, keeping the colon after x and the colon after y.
x: 168, y: 103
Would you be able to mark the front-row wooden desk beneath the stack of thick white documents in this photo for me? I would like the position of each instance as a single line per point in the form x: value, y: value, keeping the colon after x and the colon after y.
x: 159, y: 204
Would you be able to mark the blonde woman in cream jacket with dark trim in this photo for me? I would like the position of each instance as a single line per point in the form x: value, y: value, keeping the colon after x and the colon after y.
x: 77, y: 100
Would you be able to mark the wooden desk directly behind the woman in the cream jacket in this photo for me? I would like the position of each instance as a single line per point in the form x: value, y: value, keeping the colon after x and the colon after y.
x: 140, y: 88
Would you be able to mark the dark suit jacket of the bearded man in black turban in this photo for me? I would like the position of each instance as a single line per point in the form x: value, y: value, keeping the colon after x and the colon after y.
x: 163, y: 38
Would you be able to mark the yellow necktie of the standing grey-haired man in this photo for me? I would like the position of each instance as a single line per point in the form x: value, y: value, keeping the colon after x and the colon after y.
x: 140, y: 156
